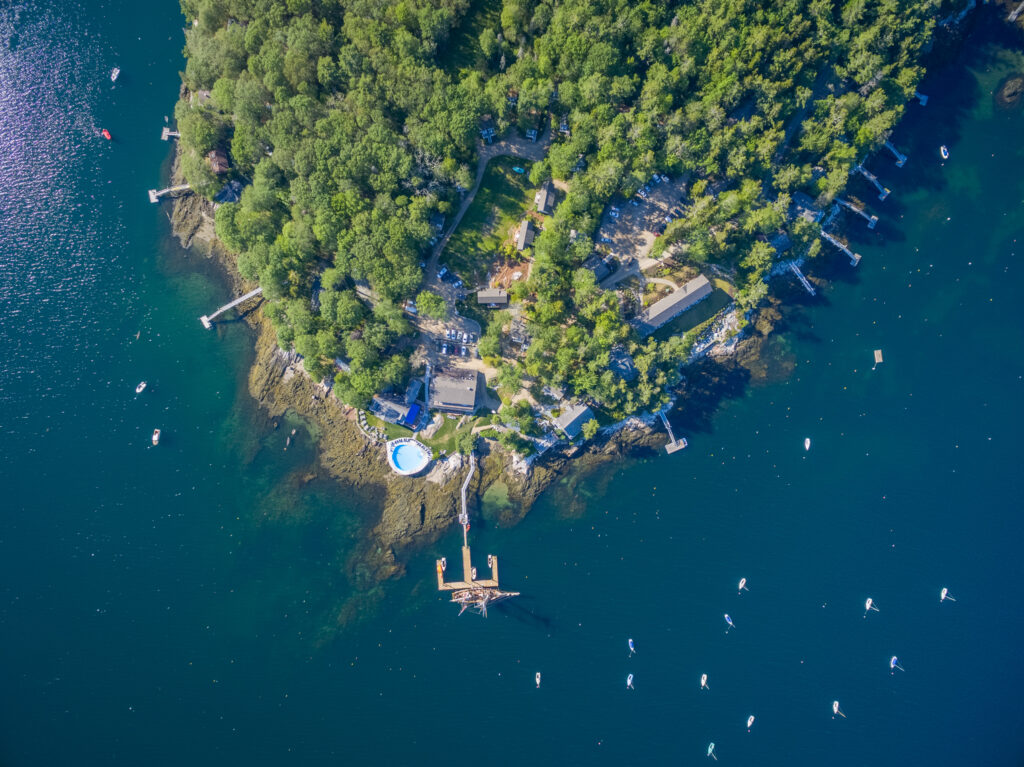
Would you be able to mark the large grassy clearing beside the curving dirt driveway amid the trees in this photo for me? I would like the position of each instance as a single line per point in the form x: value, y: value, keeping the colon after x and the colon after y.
x: 503, y: 199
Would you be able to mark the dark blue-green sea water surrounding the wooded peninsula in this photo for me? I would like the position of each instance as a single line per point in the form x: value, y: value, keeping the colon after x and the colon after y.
x: 180, y: 606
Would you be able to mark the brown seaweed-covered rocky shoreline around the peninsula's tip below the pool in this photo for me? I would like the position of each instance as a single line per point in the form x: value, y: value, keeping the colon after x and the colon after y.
x: 414, y: 514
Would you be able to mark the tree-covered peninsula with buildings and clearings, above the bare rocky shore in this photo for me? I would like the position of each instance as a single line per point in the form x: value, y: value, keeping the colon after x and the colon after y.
x: 621, y: 153
